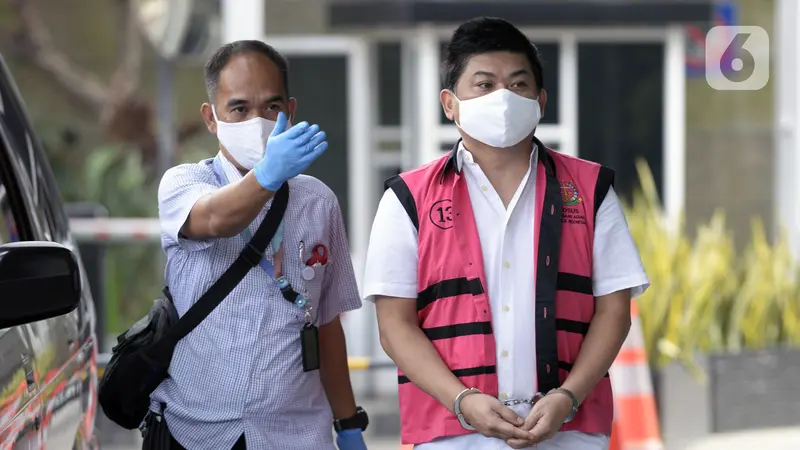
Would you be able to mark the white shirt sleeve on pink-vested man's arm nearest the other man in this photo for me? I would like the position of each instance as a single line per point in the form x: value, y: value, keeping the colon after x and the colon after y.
x: 392, y: 255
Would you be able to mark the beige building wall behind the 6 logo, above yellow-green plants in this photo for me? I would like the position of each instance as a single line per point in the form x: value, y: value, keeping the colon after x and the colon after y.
x: 729, y: 146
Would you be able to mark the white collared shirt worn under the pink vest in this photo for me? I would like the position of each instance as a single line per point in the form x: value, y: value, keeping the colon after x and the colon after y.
x: 505, y: 235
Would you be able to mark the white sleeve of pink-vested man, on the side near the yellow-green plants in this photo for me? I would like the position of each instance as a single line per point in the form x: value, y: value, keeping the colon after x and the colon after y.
x: 616, y: 261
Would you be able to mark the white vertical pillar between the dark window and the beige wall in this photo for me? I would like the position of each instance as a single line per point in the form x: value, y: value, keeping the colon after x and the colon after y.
x: 674, y: 124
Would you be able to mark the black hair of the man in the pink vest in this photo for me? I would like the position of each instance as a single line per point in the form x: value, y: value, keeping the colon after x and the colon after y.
x: 484, y: 35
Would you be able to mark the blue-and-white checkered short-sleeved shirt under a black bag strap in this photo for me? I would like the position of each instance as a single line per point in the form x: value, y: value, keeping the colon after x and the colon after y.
x: 240, y: 370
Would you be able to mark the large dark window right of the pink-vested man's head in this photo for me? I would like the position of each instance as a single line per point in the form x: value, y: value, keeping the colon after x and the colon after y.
x: 620, y: 104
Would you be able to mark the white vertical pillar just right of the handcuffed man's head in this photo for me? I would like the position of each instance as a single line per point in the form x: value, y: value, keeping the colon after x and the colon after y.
x: 568, y: 97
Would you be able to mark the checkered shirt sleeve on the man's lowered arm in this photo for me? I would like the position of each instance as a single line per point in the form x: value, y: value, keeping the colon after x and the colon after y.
x: 339, y: 287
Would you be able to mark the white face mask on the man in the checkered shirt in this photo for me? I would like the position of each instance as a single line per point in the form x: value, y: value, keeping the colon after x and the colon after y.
x: 245, y: 141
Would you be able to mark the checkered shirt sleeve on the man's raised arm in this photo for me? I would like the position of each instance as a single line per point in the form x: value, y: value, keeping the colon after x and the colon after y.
x: 180, y: 188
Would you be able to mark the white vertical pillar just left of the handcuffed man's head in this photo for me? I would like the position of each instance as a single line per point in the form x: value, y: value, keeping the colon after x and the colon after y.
x: 428, y: 86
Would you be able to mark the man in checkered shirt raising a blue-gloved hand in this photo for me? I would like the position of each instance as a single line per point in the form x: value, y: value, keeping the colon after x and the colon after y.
x: 242, y: 379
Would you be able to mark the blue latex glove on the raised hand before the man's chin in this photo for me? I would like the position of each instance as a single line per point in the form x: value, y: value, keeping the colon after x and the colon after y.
x: 289, y: 152
